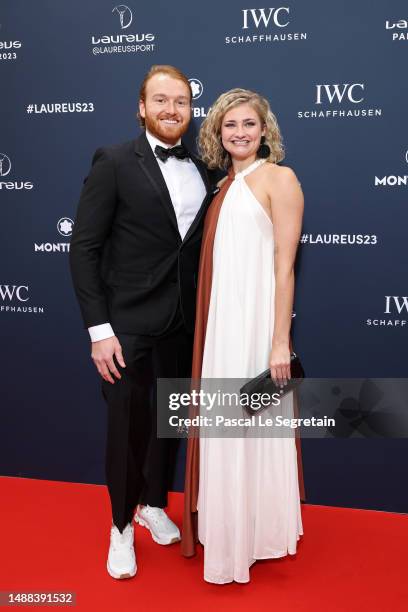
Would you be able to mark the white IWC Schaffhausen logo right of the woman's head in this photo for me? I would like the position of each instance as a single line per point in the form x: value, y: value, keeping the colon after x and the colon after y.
x: 339, y: 101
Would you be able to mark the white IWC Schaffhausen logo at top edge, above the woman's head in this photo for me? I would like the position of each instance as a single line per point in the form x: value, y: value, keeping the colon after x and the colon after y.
x: 269, y: 25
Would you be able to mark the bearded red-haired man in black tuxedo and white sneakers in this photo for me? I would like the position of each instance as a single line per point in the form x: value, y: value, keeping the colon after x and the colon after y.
x: 134, y: 258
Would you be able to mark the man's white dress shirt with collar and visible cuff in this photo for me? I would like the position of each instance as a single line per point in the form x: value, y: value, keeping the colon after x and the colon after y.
x: 187, y: 191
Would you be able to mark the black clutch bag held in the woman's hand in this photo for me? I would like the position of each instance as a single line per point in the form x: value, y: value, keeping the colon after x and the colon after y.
x: 263, y: 383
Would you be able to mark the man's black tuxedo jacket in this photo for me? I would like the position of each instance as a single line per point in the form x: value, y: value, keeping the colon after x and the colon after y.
x: 129, y: 265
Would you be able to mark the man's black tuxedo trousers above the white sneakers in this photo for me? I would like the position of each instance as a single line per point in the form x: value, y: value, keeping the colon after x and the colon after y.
x: 140, y: 466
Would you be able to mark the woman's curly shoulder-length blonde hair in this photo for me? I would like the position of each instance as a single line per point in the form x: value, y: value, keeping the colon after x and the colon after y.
x: 209, y: 140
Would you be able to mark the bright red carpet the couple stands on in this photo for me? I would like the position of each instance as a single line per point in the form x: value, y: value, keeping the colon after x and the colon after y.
x: 55, y: 538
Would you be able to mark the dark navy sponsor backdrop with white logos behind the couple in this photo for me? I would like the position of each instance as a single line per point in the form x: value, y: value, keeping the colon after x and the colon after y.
x: 335, y: 75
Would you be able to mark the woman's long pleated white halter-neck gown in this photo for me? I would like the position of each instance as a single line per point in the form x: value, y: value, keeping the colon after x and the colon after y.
x: 248, y: 502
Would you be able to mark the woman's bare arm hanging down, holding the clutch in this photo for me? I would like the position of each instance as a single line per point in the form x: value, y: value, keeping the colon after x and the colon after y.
x: 287, y: 213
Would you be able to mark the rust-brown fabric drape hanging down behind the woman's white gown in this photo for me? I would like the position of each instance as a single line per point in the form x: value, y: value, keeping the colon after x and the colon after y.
x: 189, y: 534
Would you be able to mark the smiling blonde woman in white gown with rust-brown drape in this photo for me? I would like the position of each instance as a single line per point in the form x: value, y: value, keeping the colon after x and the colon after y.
x: 248, y: 498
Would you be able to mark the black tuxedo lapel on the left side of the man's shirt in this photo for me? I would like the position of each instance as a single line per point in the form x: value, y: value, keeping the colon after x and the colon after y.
x: 150, y: 167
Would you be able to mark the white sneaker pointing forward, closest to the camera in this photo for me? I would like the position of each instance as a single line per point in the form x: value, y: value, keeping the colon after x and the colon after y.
x: 121, y: 558
